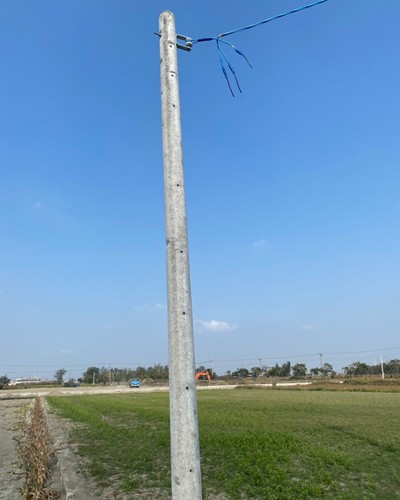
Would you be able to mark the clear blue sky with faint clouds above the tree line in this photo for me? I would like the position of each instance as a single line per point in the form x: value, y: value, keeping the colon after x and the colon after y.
x: 292, y: 186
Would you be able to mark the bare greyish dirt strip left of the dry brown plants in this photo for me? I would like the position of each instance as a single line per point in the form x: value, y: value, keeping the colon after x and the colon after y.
x: 11, y: 478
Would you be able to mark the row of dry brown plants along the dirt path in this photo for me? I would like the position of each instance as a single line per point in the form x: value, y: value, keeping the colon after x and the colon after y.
x: 36, y: 453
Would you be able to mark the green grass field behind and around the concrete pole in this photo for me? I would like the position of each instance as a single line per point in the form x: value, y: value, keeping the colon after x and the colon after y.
x: 261, y: 444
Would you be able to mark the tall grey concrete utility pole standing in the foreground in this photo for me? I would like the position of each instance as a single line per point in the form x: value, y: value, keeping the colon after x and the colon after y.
x: 185, y: 453
